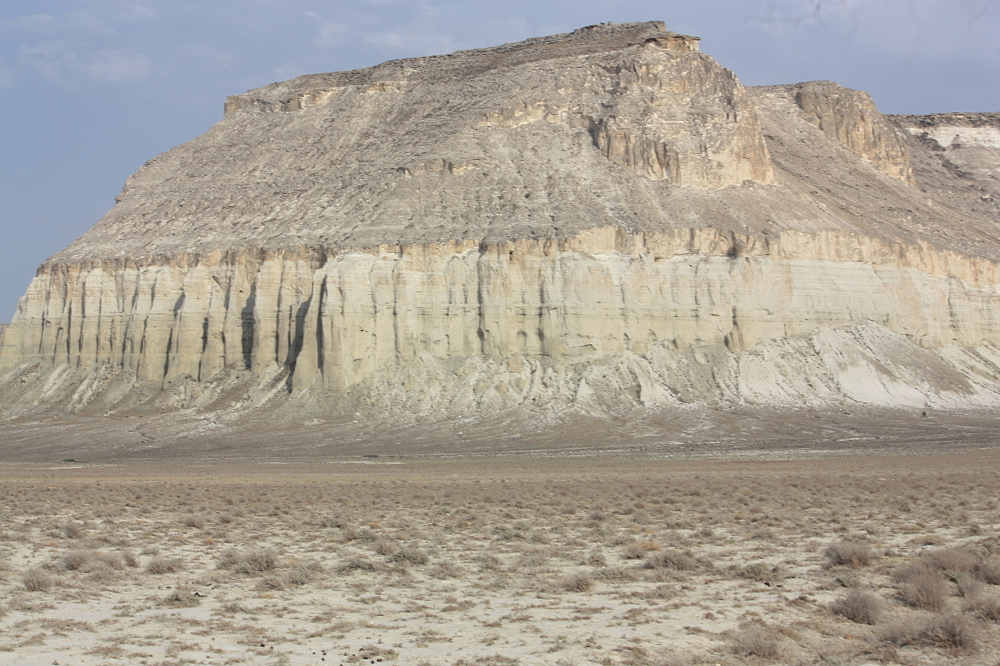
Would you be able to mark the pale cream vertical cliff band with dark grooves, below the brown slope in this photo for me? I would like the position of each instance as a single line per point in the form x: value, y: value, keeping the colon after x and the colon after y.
x: 335, y: 320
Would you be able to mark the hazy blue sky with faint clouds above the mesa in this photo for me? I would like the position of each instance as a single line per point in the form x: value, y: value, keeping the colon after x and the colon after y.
x: 91, y: 89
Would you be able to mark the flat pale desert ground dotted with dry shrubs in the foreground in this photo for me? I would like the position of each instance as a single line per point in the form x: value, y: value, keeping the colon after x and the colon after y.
x: 625, y: 558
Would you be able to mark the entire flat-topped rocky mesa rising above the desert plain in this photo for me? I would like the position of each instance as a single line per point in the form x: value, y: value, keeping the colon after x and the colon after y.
x: 598, y: 220
